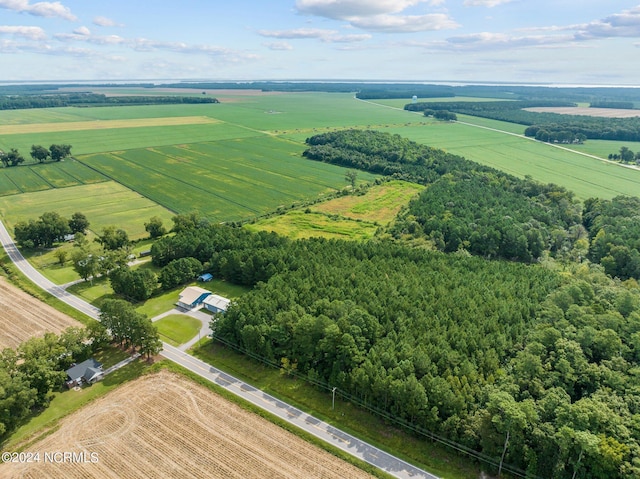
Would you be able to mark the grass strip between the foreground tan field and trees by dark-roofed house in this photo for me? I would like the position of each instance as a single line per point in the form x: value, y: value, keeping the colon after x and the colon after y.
x: 68, y: 401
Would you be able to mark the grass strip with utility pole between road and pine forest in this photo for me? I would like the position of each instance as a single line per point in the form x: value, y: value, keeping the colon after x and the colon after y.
x: 345, y: 416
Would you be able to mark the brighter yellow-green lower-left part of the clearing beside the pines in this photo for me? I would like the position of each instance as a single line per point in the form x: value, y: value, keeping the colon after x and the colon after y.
x: 298, y: 224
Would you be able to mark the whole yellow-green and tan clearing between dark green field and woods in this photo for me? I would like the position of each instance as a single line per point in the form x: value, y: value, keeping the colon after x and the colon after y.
x: 355, y: 217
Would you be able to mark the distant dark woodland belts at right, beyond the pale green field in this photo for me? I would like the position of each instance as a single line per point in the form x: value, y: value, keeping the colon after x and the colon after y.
x: 544, y: 126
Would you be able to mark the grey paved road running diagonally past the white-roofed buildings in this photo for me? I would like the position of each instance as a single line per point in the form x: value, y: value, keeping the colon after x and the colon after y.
x: 360, y: 449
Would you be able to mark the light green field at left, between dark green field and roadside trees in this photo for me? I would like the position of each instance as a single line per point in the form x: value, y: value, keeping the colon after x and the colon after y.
x: 105, y: 203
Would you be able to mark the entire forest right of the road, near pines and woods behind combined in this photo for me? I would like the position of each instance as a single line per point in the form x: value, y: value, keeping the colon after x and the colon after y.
x: 534, y: 363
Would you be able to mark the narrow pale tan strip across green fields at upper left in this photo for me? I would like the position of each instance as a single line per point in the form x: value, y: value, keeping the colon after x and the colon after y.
x: 106, y: 124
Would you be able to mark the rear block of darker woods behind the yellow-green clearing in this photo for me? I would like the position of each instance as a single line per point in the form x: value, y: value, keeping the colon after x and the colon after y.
x: 486, y: 212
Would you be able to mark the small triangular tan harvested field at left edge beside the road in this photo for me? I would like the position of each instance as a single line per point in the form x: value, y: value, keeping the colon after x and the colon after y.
x: 23, y: 316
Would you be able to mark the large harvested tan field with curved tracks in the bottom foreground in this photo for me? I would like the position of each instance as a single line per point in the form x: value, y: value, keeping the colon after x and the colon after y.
x: 166, y: 426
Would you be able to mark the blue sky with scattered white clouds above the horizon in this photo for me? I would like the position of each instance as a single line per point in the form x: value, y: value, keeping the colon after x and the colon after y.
x: 576, y: 42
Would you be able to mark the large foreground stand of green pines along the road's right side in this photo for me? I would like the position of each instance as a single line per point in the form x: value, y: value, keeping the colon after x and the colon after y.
x: 477, y: 351
